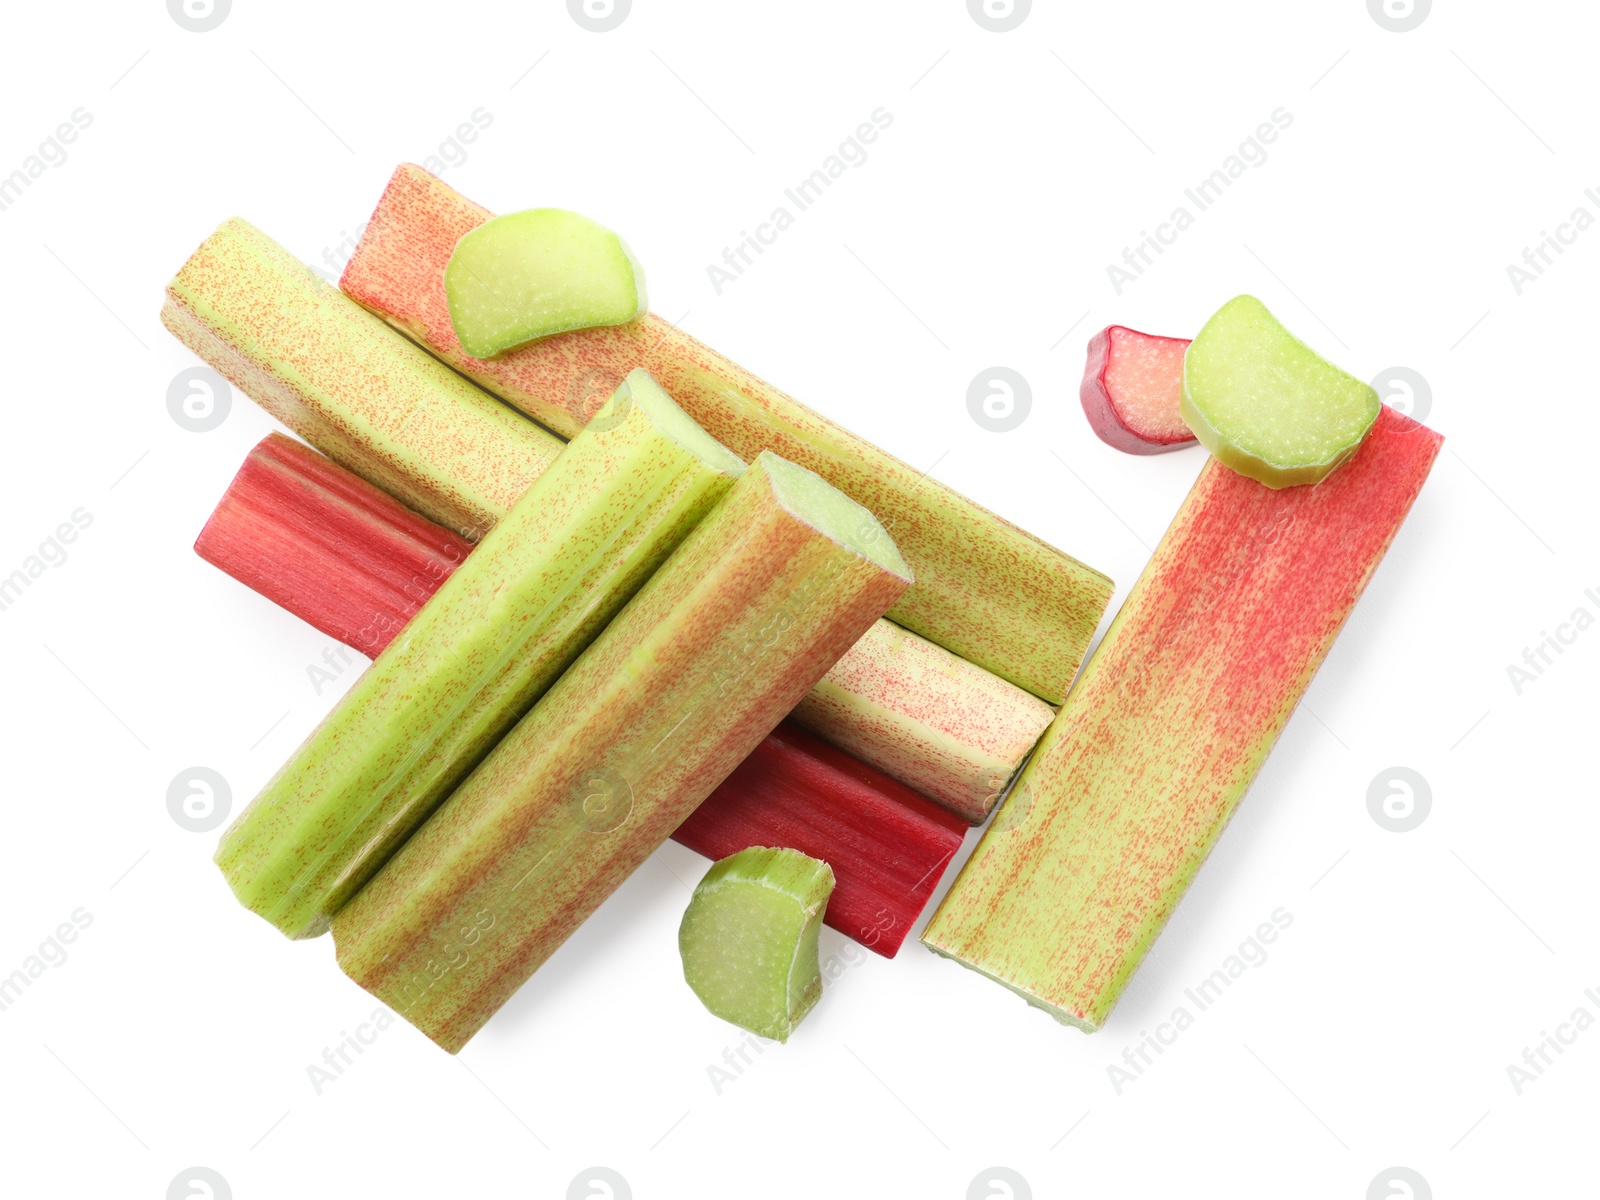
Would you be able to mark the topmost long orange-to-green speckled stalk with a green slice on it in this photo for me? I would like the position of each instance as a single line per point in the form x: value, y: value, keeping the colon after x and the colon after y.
x: 986, y: 590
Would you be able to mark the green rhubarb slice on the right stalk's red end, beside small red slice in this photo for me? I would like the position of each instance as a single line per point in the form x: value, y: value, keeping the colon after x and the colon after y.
x: 1266, y: 404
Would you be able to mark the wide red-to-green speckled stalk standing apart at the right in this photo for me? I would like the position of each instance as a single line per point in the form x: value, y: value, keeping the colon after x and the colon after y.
x: 1175, y: 714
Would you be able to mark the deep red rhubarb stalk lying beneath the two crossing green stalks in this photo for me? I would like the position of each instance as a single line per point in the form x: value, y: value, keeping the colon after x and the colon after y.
x: 335, y: 551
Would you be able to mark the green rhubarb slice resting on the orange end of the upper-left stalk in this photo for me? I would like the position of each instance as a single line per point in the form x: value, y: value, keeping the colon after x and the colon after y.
x: 532, y: 274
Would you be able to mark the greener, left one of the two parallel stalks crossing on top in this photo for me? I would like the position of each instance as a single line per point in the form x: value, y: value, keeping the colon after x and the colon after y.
x: 502, y: 630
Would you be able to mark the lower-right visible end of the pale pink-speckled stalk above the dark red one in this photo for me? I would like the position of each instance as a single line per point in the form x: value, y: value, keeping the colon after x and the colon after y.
x: 927, y: 718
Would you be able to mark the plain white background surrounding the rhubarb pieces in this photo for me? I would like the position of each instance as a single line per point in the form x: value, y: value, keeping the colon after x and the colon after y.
x: 1418, y: 967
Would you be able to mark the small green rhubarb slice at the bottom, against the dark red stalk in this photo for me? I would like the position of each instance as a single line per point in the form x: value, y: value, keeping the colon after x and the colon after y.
x: 750, y: 940
